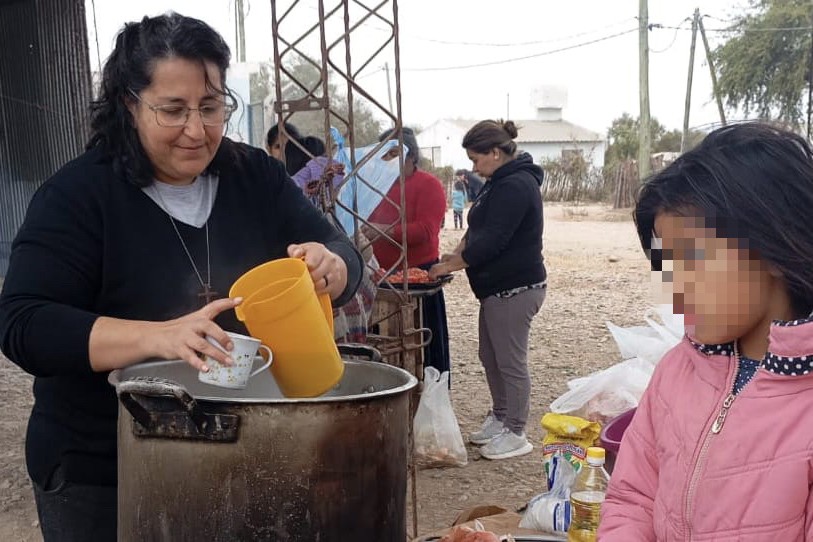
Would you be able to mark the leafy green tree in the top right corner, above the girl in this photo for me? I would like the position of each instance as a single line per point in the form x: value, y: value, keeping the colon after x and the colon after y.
x: 763, y: 67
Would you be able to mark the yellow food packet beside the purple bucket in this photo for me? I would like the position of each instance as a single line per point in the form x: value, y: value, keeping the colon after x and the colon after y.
x: 568, y: 437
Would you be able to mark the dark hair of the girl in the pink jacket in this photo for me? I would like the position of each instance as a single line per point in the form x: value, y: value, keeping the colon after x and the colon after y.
x: 752, y: 182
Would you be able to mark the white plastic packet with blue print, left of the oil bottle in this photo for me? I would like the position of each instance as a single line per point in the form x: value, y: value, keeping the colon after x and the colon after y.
x: 549, y: 512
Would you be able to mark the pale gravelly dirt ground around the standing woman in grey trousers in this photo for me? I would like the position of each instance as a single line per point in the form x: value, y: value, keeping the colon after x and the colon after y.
x: 597, y: 273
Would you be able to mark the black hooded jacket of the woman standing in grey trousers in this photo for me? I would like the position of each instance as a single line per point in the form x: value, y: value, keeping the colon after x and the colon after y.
x: 504, y: 239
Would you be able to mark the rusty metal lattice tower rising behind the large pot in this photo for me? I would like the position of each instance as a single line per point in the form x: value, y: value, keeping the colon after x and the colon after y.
x: 335, y: 25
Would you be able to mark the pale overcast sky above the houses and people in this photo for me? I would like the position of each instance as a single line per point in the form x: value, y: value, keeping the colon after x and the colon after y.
x: 437, y: 37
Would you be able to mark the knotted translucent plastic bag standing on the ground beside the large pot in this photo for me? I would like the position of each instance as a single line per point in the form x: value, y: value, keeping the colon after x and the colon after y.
x: 438, y: 442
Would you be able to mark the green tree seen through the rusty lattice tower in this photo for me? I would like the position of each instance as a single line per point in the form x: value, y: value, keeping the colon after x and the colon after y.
x: 366, y: 127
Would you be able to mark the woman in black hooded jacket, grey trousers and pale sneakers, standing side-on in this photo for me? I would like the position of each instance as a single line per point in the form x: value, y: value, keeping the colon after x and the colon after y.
x: 502, y: 255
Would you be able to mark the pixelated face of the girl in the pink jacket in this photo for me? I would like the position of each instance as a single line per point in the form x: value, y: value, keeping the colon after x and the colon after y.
x: 722, y: 288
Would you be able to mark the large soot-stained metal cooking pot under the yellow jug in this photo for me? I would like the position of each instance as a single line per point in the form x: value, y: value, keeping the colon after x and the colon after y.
x: 202, y: 463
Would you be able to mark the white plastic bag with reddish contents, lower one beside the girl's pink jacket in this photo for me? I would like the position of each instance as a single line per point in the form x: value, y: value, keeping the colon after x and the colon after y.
x: 606, y: 394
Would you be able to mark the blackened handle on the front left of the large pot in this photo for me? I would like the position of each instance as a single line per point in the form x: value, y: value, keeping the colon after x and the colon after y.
x: 185, y: 419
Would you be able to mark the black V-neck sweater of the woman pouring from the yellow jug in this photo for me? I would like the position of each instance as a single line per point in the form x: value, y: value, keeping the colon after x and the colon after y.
x: 93, y: 244
